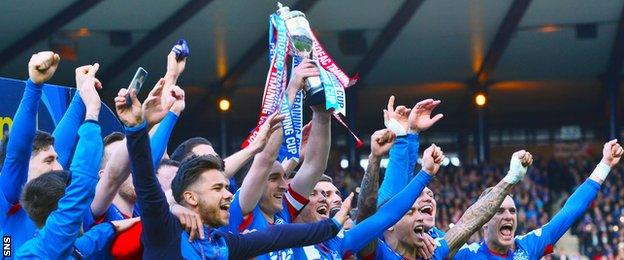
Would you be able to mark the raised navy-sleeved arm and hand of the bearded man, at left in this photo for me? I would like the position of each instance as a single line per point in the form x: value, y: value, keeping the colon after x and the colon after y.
x: 159, y: 225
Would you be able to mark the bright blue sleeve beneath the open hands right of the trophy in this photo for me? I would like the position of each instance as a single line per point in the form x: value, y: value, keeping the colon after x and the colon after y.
x: 397, y: 174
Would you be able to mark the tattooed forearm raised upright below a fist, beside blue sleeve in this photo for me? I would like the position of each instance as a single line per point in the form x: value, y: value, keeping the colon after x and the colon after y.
x: 367, y: 199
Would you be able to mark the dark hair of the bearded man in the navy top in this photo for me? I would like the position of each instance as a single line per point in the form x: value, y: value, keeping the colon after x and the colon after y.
x: 189, y: 173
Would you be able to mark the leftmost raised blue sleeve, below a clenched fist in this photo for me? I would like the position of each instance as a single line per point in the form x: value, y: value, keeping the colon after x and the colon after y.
x: 19, y: 148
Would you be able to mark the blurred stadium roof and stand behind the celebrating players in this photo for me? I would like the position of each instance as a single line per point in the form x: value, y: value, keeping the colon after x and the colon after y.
x: 540, y: 75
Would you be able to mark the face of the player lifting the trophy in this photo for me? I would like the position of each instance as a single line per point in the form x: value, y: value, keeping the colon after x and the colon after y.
x: 271, y: 201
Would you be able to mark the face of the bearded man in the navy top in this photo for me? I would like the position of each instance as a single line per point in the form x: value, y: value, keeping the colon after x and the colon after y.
x: 212, y: 197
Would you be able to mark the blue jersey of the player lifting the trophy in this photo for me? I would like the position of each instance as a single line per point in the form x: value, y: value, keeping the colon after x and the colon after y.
x: 291, y: 206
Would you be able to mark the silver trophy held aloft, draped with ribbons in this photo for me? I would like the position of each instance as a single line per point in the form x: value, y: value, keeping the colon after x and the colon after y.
x: 301, y: 40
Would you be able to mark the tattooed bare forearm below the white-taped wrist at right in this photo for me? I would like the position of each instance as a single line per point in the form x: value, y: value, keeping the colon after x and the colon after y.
x: 476, y: 216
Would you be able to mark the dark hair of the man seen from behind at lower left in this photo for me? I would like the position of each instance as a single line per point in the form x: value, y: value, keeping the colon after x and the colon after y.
x: 41, y: 195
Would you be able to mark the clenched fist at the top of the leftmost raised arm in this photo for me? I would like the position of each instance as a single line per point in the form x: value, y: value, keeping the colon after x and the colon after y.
x: 42, y: 66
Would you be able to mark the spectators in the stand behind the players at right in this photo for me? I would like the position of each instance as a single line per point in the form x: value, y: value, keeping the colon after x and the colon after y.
x: 600, y: 231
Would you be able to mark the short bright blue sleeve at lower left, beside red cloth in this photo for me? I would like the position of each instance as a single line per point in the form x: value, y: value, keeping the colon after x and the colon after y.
x: 95, y: 241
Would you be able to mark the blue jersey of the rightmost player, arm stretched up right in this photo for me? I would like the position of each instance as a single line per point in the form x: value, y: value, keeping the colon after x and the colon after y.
x: 540, y: 242
